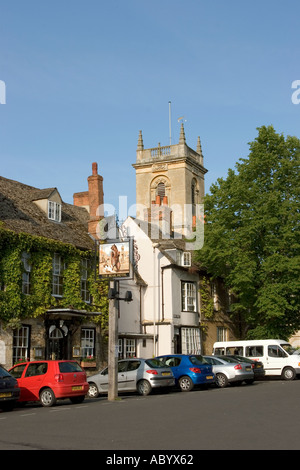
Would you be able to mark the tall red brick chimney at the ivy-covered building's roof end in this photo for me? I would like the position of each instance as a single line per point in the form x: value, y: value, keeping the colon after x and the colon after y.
x: 92, y: 199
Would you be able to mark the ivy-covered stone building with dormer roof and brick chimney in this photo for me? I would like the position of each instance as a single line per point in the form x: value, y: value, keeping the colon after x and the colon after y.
x: 52, y: 304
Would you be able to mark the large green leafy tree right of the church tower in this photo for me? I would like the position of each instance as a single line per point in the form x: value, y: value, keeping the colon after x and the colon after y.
x: 252, y: 237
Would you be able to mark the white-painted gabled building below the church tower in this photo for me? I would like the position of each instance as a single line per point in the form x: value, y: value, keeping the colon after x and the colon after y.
x: 164, y: 315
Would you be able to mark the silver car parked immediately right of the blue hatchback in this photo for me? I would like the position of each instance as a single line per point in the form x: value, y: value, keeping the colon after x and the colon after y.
x: 230, y: 371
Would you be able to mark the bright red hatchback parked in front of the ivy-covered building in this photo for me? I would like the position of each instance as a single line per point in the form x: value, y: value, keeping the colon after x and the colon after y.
x: 48, y: 381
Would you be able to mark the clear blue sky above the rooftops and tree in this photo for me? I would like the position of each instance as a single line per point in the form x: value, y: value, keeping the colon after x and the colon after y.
x: 82, y: 78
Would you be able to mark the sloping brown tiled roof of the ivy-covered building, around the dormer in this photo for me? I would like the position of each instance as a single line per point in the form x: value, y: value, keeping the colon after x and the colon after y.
x: 19, y: 213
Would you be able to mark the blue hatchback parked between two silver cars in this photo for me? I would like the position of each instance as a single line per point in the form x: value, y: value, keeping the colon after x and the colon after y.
x: 189, y: 370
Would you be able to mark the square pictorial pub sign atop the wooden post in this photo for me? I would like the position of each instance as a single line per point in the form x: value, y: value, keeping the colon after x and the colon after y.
x: 115, y: 259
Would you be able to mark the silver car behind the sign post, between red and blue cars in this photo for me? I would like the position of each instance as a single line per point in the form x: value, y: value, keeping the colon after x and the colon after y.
x: 141, y: 375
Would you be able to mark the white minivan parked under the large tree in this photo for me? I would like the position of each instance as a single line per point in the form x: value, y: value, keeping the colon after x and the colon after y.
x: 277, y: 356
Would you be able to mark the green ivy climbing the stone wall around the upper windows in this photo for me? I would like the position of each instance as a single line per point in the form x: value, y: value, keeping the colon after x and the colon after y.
x: 16, y: 306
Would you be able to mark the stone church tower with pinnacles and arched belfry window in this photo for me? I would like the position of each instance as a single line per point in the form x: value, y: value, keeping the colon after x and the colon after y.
x: 169, y: 183
